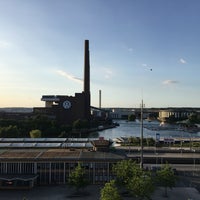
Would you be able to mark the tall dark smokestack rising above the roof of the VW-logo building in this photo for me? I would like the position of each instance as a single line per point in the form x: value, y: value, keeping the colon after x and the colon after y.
x: 87, y: 68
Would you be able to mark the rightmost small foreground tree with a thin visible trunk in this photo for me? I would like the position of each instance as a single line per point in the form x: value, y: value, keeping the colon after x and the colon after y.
x: 166, y: 177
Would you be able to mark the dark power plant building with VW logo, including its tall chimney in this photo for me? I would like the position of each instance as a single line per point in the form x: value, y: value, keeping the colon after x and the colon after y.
x: 67, y: 109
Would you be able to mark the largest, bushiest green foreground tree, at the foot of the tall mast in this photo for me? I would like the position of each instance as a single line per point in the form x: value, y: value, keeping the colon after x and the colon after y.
x: 137, y: 181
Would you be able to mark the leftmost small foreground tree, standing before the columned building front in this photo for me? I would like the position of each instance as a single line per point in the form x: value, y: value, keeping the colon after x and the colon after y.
x: 77, y: 178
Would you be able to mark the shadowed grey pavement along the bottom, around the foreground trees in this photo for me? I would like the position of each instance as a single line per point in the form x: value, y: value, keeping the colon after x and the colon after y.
x: 92, y: 192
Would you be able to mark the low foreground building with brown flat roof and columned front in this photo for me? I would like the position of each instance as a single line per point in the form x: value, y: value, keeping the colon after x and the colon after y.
x: 53, y: 166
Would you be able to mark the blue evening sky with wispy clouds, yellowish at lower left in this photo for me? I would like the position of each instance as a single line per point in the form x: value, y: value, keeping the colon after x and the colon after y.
x: 139, y: 49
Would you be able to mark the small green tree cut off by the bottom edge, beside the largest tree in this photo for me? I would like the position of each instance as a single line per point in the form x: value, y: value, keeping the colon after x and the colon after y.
x: 110, y: 192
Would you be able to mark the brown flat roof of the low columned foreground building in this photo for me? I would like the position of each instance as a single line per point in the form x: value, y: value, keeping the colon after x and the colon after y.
x: 55, y: 154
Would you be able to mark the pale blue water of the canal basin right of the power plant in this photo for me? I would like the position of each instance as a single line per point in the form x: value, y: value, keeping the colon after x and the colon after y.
x: 127, y: 129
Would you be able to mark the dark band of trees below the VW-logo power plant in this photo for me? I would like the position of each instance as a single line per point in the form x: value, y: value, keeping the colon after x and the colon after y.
x: 10, y: 128
